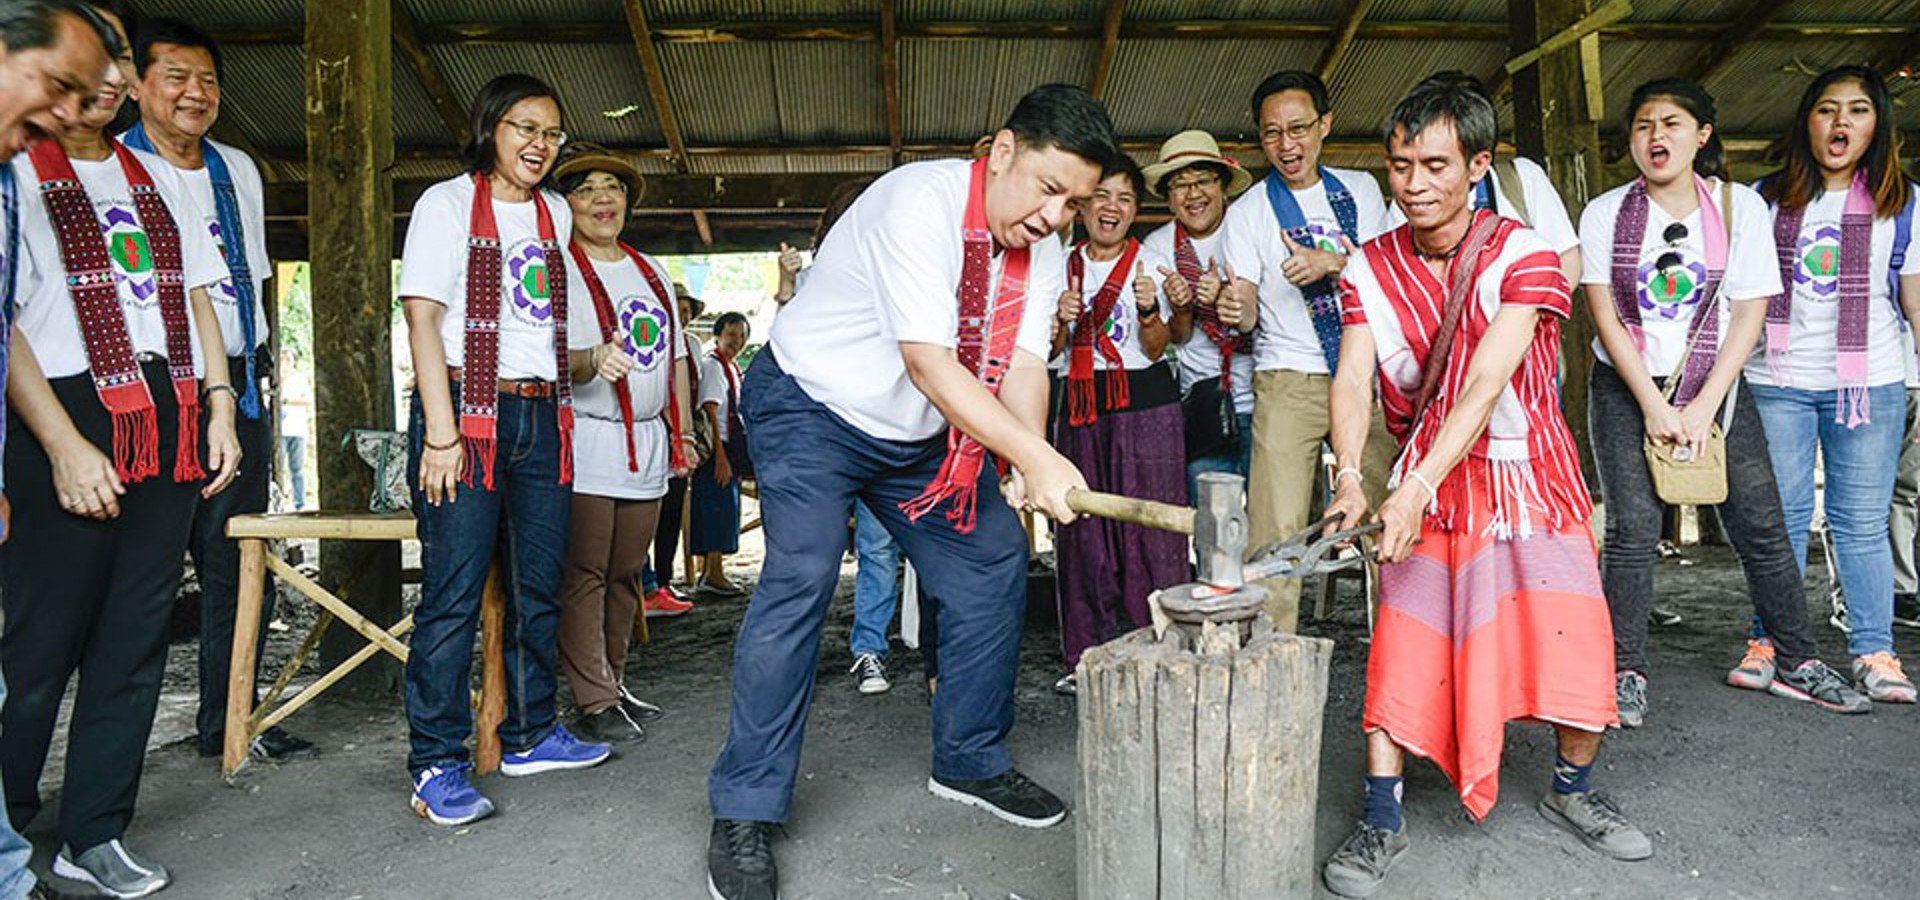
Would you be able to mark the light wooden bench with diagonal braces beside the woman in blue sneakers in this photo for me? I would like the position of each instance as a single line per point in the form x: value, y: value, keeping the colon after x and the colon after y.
x: 245, y: 721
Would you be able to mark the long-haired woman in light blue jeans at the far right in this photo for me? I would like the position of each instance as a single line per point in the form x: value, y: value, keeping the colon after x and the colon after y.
x: 1835, y: 360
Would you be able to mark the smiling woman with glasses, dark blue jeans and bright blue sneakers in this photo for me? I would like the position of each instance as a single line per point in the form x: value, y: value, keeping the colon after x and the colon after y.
x: 483, y: 283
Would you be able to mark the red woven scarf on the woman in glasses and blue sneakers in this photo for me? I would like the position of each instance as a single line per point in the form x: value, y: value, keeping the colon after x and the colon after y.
x: 481, y: 373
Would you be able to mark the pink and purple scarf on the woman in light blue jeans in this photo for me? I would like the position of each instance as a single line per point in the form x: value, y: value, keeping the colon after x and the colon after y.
x: 1854, y: 283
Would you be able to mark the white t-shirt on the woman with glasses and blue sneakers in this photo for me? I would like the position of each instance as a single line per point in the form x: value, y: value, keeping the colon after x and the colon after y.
x: 435, y: 268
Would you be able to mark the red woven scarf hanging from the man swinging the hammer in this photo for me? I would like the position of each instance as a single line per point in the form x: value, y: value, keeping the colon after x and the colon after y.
x: 986, y: 348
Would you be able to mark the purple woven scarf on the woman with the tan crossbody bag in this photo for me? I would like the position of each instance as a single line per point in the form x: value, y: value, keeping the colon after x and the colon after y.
x: 1629, y: 235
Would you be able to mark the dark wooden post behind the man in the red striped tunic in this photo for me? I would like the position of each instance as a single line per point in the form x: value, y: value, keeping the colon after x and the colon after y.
x: 1556, y: 128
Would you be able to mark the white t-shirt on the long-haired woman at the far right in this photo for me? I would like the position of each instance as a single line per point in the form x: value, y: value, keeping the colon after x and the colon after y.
x: 1812, y: 360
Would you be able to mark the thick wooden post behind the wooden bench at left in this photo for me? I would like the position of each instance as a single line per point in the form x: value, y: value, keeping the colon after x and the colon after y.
x: 350, y: 201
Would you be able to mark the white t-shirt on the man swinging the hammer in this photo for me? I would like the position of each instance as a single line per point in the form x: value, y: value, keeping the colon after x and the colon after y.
x: 890, y: 273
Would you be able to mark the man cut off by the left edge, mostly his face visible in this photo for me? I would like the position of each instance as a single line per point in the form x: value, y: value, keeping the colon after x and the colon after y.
x: 53, y: 57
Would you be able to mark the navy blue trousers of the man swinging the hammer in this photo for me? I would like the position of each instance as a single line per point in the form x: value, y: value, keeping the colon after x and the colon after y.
x: 813, y: 467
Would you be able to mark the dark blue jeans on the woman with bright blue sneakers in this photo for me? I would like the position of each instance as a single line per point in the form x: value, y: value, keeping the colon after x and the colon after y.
x: 525, y: 521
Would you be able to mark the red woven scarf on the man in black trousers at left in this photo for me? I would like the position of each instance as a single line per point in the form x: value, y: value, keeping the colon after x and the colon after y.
x: 91, y: 281
